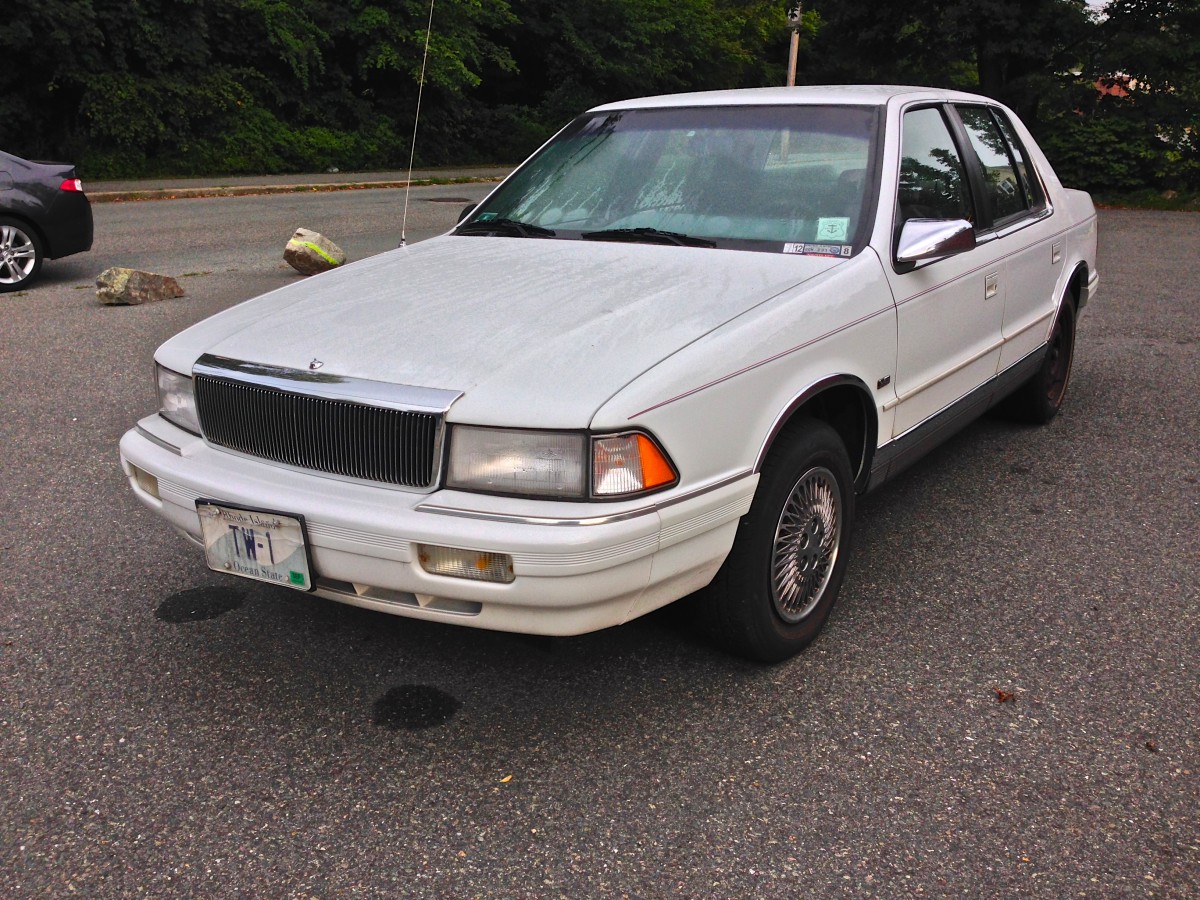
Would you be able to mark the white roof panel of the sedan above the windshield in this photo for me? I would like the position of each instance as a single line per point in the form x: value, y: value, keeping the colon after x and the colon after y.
x: 838, y: 94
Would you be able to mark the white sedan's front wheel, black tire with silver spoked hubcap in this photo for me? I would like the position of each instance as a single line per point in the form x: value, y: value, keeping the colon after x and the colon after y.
x: 775, y: 592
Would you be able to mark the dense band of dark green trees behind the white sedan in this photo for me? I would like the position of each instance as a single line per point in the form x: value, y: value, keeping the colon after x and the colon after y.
x: 146, y: 87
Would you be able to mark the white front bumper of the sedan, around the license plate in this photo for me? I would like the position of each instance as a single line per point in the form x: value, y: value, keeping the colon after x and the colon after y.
x: 579, y: 567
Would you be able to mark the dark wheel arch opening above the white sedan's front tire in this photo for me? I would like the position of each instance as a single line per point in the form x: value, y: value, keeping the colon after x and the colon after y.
x: 847, y: 405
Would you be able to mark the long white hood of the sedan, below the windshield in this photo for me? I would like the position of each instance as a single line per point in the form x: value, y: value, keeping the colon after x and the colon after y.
x: 535, y: 333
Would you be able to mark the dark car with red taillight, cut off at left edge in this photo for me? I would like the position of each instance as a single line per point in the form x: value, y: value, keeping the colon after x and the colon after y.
x: 44, y: 215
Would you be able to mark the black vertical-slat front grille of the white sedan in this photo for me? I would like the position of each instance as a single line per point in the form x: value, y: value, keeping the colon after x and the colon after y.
x: 375, y: 443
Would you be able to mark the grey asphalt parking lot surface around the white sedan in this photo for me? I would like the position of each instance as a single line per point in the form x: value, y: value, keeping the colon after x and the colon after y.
x: 165, y: 730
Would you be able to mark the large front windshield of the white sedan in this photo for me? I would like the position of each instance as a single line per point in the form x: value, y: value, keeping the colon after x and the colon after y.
x: 761, y: 178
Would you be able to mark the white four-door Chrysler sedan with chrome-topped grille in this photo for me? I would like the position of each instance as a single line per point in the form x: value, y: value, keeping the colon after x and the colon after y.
x: 664, y: 357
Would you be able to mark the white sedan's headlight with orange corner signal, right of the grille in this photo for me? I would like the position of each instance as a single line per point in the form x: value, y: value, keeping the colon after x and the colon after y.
x: 549, y: 464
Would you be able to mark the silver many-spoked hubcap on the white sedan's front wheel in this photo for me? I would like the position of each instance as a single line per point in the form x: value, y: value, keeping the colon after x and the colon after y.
x: 807, y: 542
